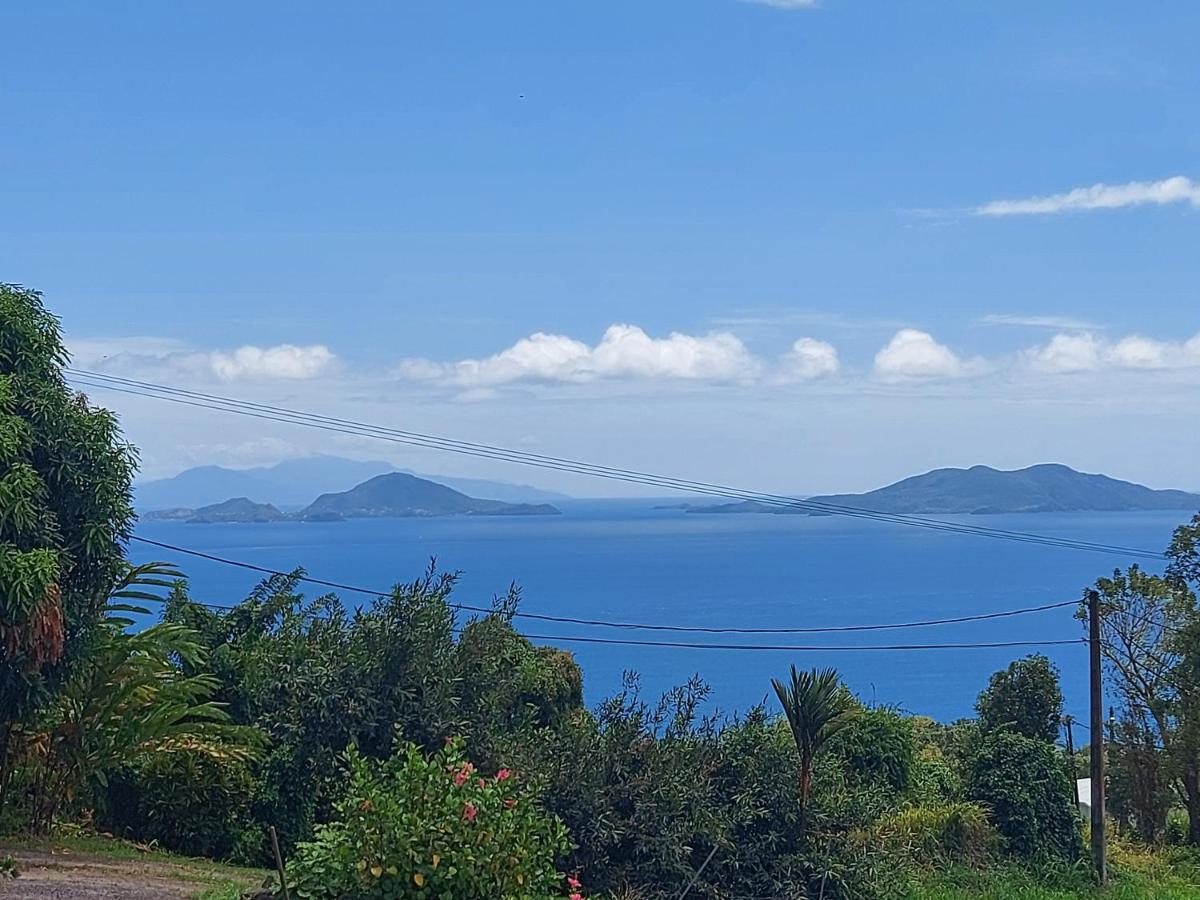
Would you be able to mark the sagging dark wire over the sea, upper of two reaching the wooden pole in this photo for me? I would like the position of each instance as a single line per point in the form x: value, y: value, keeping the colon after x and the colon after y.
x: 604, y: 623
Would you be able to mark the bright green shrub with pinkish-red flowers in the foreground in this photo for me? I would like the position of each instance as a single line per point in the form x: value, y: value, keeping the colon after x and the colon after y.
x: 418, y: 827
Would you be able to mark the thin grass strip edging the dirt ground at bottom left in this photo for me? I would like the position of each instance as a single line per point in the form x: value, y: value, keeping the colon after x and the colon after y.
x: 217, y: 881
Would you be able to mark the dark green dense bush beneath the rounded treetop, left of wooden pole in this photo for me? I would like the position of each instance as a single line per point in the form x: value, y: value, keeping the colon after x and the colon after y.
x: 1025, y: 785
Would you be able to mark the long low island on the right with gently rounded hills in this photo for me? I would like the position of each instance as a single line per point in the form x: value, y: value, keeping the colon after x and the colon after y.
x: 983, y: 490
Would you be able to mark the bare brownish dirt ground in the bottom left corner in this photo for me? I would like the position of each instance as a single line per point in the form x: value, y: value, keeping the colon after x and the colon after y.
x: 85, y: 877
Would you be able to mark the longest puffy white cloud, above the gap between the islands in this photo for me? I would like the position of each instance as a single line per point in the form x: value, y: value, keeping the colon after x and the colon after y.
x: 625, y: 352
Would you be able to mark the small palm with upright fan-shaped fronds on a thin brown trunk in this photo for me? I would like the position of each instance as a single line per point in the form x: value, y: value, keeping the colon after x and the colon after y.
x: 818, y: 706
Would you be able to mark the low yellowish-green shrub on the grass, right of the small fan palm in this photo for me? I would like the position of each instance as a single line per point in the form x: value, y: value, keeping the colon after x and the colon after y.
x: 951, y: 833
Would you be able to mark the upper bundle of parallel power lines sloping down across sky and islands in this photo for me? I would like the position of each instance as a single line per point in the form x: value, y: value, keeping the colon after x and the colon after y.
x: 279, y: 415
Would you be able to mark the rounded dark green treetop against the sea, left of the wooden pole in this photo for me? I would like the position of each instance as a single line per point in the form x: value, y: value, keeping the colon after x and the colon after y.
x: 1024, y: 699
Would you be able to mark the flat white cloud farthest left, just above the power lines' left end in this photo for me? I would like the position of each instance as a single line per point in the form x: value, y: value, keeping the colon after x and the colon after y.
x: 153, y: 358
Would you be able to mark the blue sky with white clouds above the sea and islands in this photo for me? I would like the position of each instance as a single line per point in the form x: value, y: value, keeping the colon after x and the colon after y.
x: 363, y: 209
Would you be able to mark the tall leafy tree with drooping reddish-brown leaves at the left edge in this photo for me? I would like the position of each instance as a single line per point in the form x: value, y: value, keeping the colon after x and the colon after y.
x: 65, y: 477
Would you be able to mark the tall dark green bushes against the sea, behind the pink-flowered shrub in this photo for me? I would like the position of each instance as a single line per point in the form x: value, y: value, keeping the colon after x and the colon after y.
x: 317, y: 679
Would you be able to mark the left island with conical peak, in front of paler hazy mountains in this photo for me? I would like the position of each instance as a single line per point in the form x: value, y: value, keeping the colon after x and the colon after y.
x: 389, y: 496
